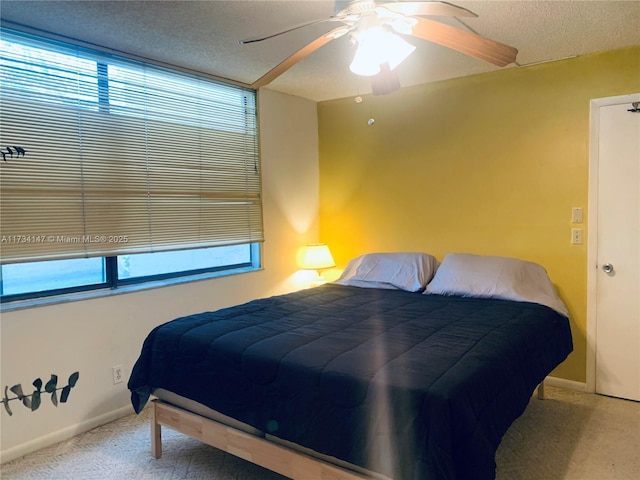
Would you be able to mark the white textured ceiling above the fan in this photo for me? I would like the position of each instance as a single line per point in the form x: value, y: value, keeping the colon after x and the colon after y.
x: 203, y: 36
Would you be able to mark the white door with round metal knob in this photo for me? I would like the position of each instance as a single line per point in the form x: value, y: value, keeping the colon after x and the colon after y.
x: 617, y: 345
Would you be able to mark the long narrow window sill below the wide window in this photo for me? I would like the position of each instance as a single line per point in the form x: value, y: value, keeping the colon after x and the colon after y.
x: 108, y: 292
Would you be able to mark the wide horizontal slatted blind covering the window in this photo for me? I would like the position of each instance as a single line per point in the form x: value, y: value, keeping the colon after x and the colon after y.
x: 119, y: 156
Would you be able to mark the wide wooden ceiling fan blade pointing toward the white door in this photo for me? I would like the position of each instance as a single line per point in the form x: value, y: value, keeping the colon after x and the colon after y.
x: 465, y: 42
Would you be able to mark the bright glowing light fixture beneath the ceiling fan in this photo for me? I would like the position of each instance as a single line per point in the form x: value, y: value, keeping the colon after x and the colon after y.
x: 378, y: 46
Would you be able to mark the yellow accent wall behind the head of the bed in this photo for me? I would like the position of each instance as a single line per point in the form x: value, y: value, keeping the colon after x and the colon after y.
x: 488, y: 164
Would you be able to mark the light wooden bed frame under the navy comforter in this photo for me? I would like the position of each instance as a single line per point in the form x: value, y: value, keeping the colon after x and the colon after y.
x: 258, y: 450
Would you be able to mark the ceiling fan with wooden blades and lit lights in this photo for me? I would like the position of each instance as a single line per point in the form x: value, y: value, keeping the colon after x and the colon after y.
x: 377, y: 29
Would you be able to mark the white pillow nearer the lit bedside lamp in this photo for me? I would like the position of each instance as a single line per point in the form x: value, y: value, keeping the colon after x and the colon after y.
x: 398, y: 271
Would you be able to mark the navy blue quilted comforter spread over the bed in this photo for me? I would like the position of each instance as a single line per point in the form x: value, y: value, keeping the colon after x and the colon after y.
x: 412, y: 386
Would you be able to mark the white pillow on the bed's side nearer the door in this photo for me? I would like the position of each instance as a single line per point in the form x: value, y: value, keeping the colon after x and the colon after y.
x: 470, y: 275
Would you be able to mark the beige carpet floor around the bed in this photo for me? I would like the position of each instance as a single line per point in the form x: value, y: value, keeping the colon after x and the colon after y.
x: 569, y: 435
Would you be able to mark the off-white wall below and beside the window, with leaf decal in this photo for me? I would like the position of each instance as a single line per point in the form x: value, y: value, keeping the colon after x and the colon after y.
x: 91, y: 336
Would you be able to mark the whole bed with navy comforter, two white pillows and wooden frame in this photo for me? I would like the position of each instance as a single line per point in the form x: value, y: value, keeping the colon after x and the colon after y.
x: 403, y: 369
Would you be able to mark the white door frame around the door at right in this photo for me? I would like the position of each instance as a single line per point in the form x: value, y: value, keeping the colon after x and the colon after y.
x: 592, y: 230
